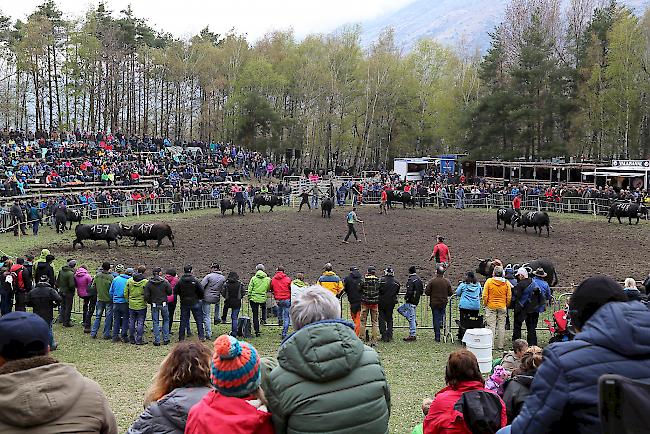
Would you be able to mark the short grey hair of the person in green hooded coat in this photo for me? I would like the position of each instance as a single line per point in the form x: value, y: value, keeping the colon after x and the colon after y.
x: 314, y: 303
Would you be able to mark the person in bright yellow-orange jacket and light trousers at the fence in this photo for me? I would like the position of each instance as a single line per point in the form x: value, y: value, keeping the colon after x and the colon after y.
x: 496, y: 297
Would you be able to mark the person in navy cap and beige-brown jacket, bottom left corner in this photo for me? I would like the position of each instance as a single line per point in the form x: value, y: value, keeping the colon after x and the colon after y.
x: 37, y: 393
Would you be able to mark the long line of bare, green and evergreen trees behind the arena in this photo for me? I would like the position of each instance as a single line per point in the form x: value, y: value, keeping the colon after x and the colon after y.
x: 559, y: 79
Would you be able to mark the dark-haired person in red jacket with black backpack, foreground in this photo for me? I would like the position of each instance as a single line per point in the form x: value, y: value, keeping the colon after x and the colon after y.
x: 462, y: 375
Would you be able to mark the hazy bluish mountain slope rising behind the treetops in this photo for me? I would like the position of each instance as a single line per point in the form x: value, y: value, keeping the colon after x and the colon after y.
x: 448, y: 21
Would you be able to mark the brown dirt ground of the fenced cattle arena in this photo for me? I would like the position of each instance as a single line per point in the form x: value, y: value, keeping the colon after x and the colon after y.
x: 579, y: 246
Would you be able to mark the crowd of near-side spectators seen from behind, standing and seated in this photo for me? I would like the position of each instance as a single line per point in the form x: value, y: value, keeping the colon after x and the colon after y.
x: 323, y: 367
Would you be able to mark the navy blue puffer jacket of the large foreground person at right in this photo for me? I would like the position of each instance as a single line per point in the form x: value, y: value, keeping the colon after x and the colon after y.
x: 564, y: 394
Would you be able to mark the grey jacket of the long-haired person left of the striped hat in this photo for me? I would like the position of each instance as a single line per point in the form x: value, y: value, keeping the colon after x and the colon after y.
x: 168, y: 414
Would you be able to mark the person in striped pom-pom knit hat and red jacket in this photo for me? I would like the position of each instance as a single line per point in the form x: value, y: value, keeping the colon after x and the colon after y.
x: 237, y: 403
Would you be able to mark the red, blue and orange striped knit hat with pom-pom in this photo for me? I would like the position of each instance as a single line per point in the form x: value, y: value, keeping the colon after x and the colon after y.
x: 235, y: 367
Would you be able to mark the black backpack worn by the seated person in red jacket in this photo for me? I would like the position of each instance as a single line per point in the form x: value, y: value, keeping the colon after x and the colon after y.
x: 481, y: 411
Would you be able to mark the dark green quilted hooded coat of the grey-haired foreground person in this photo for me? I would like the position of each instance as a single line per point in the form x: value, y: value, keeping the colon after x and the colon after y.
x: 327, y: 380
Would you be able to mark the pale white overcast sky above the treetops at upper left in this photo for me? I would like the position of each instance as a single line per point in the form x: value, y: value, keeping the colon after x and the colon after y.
x: 184, y: 18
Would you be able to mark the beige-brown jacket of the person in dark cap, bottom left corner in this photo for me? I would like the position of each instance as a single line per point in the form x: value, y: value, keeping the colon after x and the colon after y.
x: 41, y: 396
